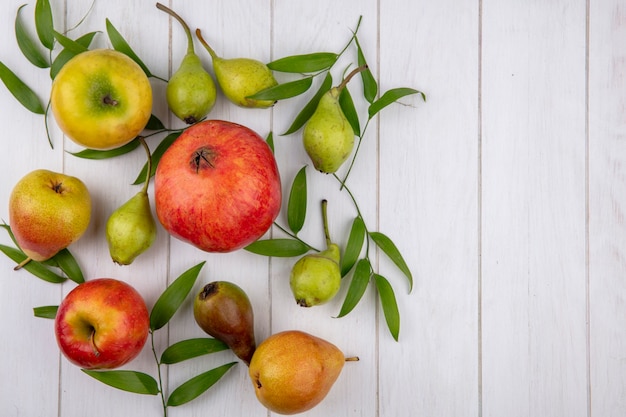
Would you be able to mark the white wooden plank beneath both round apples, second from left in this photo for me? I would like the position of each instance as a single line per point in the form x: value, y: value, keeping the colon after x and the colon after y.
x: 110, y: 182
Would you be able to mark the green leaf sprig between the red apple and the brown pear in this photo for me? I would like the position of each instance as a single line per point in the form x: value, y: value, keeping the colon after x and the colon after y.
x: 163, y: 310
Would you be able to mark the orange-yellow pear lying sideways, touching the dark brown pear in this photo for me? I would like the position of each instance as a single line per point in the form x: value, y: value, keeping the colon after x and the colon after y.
x: 293, y: 371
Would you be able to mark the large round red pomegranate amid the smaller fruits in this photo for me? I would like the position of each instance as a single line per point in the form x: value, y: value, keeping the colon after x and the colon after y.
x: 217, y: 187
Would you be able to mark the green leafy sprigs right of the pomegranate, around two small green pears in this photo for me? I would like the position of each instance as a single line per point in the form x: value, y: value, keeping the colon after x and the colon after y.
x: 355, y: 259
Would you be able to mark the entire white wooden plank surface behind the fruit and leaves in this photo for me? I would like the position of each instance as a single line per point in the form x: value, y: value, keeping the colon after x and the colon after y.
x: 506, y: 192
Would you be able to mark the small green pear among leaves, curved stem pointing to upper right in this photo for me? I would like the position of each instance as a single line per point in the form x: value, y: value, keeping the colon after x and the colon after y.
x: 328, y: 137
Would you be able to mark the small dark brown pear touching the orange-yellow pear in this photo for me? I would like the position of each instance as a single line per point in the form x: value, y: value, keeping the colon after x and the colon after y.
x: 223, y: 310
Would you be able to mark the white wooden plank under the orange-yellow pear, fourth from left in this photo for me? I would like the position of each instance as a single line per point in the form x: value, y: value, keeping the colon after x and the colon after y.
x: 327, y: 26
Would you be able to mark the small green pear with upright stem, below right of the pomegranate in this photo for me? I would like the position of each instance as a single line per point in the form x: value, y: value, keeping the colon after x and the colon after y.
x: 315, y: 278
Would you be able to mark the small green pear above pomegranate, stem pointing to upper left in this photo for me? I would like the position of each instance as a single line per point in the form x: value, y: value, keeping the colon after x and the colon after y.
x: 240, y: 78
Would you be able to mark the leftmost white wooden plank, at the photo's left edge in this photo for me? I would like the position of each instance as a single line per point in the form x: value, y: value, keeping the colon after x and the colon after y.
x: 29, y: 366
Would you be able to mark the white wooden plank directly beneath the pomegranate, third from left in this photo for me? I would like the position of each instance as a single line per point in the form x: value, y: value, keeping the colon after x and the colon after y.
x: 233, y: 29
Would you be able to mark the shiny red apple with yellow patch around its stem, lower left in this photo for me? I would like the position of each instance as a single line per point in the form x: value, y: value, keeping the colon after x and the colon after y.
x: 102, y: 324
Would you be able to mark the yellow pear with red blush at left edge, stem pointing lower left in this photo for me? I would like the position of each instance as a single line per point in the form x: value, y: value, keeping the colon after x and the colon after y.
x: 48, y: 211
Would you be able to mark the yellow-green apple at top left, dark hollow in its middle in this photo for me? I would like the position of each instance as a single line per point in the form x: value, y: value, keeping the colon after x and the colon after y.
x: 101, y: 99
